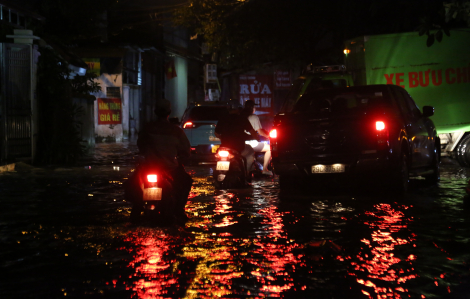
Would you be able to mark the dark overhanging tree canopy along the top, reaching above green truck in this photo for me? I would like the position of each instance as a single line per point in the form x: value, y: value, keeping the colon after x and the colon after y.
x: 253, y: 32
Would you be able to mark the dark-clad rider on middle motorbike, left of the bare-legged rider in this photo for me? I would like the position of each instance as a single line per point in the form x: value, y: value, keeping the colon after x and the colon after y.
x: 231, y: 131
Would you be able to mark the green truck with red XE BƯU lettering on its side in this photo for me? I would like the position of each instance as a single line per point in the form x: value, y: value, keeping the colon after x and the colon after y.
x: 437, y: 76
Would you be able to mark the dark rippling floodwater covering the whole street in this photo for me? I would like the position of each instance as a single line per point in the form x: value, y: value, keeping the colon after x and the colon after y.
x: 65, y: 233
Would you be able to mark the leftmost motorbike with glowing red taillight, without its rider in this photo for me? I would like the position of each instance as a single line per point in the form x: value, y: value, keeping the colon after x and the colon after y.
x: 150, y: 190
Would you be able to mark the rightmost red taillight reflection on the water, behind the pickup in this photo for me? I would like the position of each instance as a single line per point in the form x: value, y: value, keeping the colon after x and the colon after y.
x: 378, y: 260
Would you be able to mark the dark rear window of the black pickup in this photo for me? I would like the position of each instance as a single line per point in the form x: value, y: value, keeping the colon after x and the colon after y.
x: 344, y: 101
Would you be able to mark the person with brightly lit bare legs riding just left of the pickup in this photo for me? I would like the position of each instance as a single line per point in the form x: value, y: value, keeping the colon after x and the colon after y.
x: 258, y: 147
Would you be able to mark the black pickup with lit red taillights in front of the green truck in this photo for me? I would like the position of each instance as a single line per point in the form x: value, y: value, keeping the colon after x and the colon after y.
x: 356, y: 134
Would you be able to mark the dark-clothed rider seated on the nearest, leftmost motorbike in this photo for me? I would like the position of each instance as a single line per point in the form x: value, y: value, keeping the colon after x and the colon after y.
x: 167, y: 146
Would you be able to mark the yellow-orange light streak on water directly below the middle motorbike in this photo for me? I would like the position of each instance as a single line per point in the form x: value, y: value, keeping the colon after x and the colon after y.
x: 216, y: 253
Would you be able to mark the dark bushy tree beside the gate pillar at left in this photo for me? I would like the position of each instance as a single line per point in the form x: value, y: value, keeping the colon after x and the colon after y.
x: 59, y: 138
